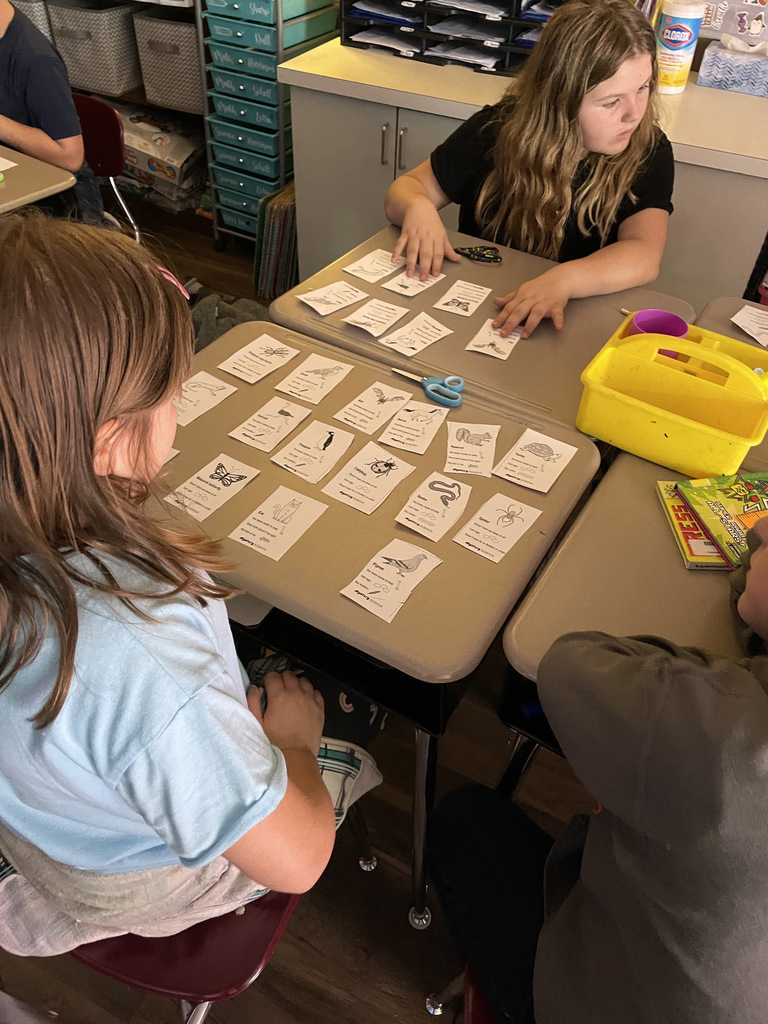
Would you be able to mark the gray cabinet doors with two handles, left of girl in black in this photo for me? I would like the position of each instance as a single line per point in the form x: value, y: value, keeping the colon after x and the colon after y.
x: 347, y: 153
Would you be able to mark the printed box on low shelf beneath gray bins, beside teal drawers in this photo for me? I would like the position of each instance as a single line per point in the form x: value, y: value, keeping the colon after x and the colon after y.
x: 168, y: 150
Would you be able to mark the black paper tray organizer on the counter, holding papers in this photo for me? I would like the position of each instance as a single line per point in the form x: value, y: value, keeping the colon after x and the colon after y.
x: 490, y: 36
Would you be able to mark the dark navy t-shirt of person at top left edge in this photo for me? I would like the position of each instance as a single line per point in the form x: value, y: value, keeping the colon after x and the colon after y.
x: 34, y: 87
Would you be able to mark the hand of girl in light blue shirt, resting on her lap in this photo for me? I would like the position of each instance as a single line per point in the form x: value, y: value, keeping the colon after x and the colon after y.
x: 295, y: 712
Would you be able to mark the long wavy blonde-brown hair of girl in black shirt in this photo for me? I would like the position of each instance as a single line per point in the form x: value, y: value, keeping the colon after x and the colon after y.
x: 528, y: 198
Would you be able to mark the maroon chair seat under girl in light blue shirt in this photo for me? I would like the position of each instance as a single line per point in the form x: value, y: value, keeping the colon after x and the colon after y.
x: 215, y: 961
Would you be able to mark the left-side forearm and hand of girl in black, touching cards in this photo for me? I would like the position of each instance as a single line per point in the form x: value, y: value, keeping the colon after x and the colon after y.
x: 412, y: 203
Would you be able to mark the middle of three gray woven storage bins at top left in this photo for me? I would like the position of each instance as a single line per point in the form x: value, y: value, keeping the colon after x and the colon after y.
x: 98, y: 44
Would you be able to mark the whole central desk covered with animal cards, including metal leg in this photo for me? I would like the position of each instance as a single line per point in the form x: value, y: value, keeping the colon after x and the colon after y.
x: 448, y: 624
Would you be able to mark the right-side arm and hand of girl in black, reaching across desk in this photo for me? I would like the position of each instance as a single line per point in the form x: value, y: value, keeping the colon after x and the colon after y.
x: 632, y: 261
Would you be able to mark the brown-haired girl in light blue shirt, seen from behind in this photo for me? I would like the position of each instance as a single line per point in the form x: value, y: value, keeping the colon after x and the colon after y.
x: 140, y: 789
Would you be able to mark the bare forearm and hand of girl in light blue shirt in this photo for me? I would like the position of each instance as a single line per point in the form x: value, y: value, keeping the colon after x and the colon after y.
x: 289, y: 850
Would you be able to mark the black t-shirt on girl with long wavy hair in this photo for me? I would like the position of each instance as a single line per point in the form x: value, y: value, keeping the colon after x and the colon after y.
x: 462, y: 163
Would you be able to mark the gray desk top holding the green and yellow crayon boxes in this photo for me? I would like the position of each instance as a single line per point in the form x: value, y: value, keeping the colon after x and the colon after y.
x: 619, y: 570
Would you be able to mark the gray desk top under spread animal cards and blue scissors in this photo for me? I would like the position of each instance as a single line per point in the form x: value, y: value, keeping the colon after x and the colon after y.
x: 449, y: 622
